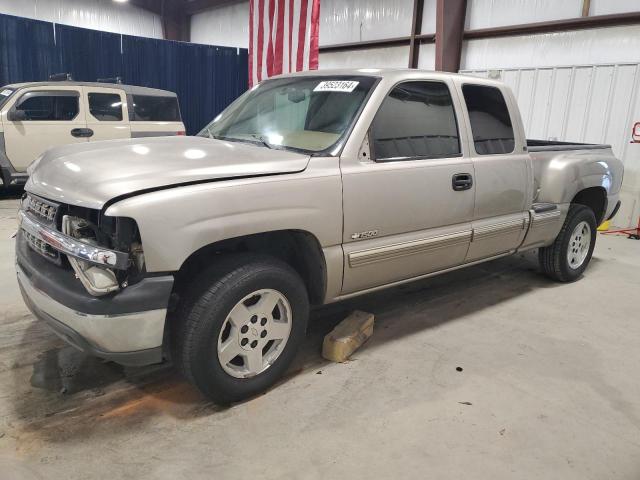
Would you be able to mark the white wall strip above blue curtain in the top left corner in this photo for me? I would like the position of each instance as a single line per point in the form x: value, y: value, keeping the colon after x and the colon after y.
x: 104, y: 15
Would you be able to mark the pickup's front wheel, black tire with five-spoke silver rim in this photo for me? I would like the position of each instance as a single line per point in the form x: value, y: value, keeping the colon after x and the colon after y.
x: 239, y: 326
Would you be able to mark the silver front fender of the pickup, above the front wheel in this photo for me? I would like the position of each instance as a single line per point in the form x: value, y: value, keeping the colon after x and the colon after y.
x: 176, y: 222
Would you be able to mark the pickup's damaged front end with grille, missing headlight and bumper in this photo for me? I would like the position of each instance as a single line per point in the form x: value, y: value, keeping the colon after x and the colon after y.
x: 84, y: 274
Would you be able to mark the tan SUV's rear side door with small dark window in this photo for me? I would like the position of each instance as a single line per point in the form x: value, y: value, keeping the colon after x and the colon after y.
x: 107, y: 114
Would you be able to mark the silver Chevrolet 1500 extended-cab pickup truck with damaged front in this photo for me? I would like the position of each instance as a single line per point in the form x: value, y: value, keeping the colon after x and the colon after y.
x: 308, y: 189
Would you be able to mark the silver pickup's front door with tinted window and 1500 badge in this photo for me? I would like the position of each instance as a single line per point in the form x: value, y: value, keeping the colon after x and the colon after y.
x: 408, y: 205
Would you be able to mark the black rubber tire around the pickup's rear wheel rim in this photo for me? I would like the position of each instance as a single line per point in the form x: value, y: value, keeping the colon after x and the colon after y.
x: 554, y: 258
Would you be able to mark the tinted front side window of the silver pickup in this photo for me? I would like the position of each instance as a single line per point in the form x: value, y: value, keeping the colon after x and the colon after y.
x: 416, y: 120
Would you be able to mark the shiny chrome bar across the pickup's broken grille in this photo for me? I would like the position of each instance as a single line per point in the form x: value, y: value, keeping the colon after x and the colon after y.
x: 72, y: 246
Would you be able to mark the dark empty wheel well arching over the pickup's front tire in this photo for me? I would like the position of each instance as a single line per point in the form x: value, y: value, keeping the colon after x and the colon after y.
x: 300, y: 249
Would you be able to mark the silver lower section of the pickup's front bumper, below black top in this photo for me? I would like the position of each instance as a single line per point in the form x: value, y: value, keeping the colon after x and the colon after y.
x: 130, y: 338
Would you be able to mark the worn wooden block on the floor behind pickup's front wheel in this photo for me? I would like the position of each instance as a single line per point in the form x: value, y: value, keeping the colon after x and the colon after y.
x: 347, y: 336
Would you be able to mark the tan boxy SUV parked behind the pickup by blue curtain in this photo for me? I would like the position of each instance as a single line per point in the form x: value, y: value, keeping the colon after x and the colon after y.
x: 37, y: 116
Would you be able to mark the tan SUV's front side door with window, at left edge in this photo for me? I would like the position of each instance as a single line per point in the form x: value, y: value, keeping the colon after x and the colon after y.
x: 42, y: 118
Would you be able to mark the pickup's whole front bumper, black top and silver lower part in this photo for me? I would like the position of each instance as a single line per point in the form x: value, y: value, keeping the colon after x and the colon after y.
x: 126, y: 327
